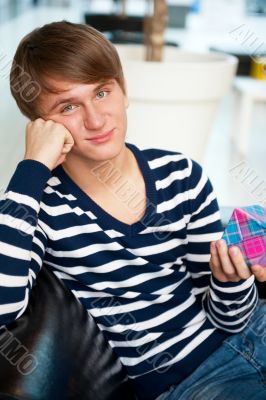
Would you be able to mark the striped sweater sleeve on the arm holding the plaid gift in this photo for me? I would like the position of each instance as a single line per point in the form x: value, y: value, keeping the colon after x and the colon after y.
x: 227, y: 305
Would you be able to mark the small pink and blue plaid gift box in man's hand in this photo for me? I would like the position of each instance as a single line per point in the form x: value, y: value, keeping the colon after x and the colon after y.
x: 247, y: 230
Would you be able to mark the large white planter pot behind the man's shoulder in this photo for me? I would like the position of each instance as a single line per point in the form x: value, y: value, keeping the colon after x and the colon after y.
x: 172, y: 104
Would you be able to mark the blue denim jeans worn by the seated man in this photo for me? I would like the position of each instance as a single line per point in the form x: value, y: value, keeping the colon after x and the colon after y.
x: 236, y: 371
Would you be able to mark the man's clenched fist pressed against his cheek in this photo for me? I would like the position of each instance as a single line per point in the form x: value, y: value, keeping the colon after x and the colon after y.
x: 47, y: 142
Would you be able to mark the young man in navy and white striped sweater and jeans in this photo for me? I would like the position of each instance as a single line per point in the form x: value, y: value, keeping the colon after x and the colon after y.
x: 128, y: 231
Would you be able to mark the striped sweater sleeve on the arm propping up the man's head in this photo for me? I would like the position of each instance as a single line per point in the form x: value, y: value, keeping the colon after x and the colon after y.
x: 22, y: 241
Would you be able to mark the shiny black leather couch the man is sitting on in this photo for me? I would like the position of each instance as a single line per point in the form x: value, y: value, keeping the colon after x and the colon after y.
x: 55, y: 351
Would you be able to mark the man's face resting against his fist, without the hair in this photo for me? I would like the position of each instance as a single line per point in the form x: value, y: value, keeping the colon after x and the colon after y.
x: 89, y: 111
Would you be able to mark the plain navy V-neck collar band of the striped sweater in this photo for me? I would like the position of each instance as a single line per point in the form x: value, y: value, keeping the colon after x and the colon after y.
x: 106, y: 220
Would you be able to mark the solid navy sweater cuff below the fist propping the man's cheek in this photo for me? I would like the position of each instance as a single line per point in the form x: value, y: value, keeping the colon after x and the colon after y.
x: 30, y: 178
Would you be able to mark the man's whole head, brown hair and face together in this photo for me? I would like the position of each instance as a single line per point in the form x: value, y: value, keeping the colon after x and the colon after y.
x: 79, y: 74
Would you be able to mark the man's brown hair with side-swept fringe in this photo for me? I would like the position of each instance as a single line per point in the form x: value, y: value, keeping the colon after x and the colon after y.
x: 60, y: 51
